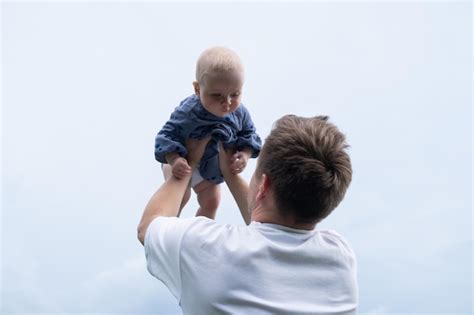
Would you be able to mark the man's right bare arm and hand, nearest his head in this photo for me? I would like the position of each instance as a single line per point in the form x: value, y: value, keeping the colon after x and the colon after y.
x: 237, y: 185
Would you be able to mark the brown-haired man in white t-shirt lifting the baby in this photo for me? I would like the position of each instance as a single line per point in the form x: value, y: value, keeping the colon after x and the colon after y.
x: 277, y: 264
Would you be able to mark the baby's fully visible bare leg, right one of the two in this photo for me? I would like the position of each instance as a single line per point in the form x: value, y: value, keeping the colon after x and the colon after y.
x: 208, y: 196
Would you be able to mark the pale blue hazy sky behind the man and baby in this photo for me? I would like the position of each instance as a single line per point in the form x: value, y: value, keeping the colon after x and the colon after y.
x: 86, y: 86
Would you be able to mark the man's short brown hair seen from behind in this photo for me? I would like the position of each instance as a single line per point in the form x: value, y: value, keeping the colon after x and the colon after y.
x: 308, y: 167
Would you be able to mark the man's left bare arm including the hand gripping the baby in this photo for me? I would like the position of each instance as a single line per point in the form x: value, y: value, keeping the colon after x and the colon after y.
x: 167, y: 200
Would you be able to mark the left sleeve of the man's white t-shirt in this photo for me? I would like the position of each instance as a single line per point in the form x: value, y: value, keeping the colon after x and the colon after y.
x: 163, y: 241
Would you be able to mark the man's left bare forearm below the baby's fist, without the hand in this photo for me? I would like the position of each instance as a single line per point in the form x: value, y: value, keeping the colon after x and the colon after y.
x: 164, y: 202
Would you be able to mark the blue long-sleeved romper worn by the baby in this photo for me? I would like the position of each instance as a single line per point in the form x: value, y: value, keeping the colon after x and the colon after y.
x: 191, y: 120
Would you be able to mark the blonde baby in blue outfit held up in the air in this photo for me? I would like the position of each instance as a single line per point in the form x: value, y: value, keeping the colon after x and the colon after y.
x: 213, y: 111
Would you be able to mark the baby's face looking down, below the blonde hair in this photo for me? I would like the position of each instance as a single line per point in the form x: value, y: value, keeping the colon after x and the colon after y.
x: 220, y: 94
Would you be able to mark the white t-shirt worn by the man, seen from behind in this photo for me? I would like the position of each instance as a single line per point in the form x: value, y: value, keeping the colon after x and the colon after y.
x: 261, y: 268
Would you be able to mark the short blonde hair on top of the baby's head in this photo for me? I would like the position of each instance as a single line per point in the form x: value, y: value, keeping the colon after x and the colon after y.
x: 217, y: 60
